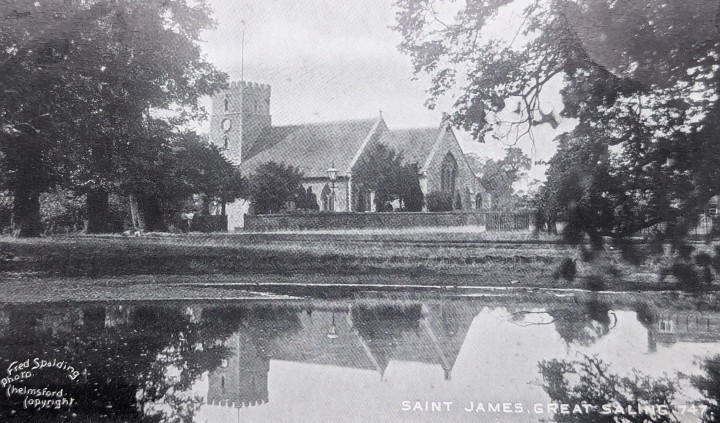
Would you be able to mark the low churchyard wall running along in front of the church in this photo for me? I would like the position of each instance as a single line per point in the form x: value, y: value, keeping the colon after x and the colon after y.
x: 315, y: 221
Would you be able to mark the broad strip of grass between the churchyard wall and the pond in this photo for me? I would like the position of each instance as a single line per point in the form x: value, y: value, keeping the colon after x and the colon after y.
x: 423, y: 258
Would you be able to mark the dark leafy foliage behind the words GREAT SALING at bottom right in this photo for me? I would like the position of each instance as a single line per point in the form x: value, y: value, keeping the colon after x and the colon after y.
x: 590, y: 381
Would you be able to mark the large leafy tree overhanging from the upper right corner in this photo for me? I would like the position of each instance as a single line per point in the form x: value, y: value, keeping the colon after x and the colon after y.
x: 639, y: 77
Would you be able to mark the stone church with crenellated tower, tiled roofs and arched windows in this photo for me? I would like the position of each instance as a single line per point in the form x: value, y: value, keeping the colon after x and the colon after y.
x: 327, y: 153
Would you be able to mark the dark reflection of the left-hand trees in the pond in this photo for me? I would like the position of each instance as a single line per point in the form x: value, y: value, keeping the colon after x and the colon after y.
x: 123, y: 367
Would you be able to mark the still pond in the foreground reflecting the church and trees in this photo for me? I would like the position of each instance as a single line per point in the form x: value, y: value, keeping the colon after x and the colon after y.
x: 366, y: 357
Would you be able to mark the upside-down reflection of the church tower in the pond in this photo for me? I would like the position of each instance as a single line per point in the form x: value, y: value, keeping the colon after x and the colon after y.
x: 241, y: 379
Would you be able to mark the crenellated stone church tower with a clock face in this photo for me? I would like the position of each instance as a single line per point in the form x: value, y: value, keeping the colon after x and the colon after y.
x: 239, y: 115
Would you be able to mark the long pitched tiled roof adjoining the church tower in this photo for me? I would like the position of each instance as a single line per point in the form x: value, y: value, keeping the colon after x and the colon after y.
x: 313, y: 148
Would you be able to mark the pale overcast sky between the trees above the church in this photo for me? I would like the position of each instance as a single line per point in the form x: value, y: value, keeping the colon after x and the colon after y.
x: 333, y: 60
